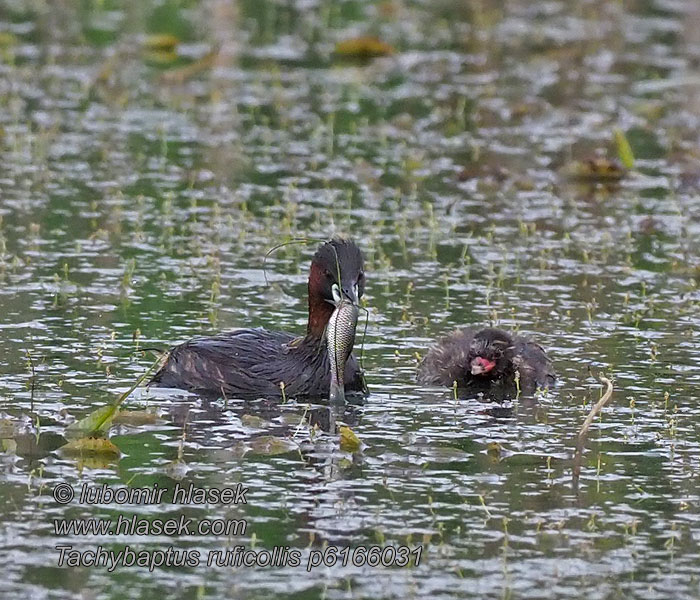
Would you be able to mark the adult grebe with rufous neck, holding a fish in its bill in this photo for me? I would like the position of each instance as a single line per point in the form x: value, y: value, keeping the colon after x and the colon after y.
x: 253, y: 363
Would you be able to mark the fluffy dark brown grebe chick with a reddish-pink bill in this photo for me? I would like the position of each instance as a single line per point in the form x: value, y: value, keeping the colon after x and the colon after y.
x: 485, y: 359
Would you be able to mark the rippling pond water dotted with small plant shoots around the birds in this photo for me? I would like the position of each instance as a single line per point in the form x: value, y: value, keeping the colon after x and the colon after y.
x: 143, y: 181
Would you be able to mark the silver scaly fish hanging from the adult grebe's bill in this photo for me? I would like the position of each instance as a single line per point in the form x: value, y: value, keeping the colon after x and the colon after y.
x: 340, y: 338
